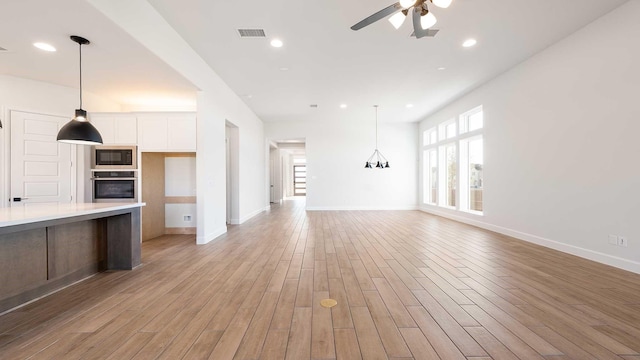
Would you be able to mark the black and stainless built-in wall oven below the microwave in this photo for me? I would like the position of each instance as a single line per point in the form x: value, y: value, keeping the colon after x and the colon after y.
x: 114, y: 186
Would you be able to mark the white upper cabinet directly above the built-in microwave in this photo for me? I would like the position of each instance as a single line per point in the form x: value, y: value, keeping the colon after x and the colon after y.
x: 116, y: 129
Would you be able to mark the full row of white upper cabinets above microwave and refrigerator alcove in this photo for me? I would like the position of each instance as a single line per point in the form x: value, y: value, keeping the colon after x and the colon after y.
x: 161, y: 132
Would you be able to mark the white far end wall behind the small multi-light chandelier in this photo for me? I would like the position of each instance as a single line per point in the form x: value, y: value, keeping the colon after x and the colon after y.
x: 336, y: 152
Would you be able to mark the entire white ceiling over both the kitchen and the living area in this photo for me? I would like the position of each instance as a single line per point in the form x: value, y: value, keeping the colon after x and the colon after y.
x: 329, y: 64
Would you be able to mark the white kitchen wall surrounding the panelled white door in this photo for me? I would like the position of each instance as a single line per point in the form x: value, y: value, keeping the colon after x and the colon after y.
x: 44, y: 98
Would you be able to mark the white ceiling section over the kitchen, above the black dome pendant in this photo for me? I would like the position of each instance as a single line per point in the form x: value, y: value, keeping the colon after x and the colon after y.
x: 114, y: 64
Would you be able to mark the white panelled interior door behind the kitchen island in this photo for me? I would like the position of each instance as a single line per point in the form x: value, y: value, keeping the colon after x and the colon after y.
x: 41, y: 167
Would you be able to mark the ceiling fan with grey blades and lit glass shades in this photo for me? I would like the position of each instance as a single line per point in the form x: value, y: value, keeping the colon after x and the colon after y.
x: 423, y: 19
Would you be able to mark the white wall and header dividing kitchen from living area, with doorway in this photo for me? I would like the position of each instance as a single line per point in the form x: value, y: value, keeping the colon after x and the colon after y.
x: 216, y: 104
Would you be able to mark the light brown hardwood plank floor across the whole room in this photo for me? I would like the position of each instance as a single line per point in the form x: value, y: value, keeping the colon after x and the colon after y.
x: 408, y: 285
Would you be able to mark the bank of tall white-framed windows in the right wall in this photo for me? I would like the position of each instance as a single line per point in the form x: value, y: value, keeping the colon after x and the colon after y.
x: 453, y: 163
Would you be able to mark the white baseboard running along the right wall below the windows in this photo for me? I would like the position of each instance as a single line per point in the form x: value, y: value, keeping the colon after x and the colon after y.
x: 603, y: 258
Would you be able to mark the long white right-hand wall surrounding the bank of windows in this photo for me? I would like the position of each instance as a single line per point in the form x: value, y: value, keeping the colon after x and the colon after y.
x: 561, y: 148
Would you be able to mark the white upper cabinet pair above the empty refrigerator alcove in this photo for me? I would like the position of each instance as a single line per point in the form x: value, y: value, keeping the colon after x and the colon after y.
x: 176, y: 132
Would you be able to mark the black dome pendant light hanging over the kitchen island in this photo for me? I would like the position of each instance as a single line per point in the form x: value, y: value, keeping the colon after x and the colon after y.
x: 79, y: 130
